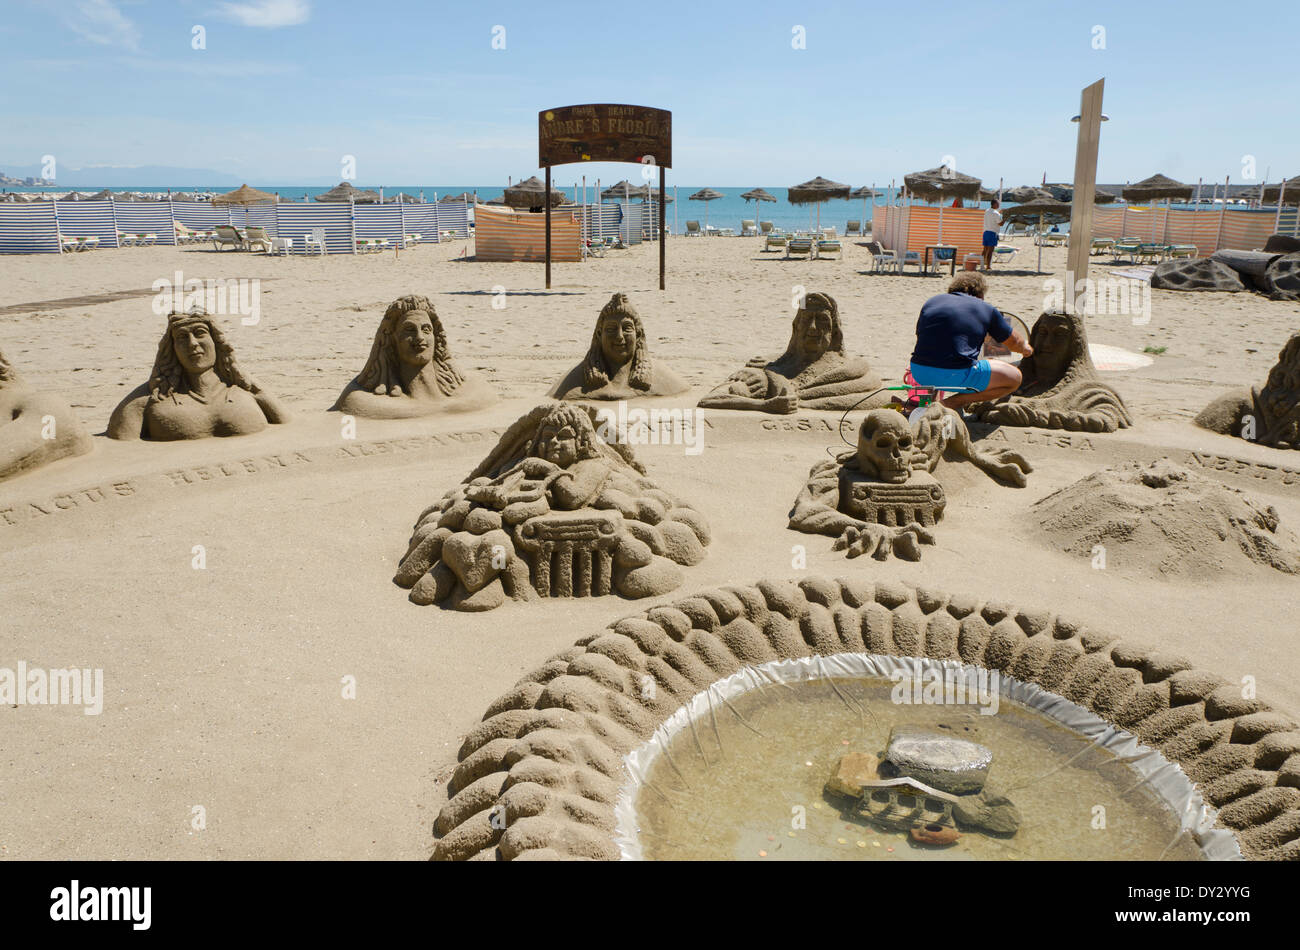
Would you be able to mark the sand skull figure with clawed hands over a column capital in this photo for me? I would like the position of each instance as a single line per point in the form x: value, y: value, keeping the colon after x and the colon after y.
x: 883, y: 498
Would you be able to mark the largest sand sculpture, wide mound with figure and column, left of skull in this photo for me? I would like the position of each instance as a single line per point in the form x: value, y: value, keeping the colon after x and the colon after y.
x: 553, y: 511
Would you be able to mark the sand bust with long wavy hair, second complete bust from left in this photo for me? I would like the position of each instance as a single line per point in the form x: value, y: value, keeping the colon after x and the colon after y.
x: 410, y: 371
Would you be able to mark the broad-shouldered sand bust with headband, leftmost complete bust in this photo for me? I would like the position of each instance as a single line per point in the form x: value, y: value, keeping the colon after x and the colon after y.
x: 196, y: 389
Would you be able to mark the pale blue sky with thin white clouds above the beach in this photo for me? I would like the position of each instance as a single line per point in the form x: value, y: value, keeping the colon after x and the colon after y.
x: 418, y: 94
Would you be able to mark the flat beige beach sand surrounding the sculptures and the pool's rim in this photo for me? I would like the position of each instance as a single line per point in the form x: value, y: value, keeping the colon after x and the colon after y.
x: 224, y: 687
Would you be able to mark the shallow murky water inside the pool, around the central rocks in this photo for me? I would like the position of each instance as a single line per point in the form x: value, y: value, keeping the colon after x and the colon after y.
x: 725, y: 792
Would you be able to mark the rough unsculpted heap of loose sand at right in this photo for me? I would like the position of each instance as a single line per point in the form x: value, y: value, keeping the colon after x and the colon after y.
x: 1165, y: 520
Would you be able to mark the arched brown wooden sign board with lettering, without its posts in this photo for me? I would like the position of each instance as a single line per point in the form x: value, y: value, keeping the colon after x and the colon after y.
x: 605, y: 133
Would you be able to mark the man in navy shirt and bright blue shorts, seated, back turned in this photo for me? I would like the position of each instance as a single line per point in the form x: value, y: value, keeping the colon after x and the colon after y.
x: 950, y: 336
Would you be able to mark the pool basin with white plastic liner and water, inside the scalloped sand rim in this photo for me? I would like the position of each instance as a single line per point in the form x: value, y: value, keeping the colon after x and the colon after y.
x: 739, y: 773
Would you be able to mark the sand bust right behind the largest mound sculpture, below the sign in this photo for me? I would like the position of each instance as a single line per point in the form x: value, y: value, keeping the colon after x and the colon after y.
x: 618, y: 365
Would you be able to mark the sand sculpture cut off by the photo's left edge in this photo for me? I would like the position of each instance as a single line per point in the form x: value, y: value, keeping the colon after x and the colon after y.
x: 36, y: 430
